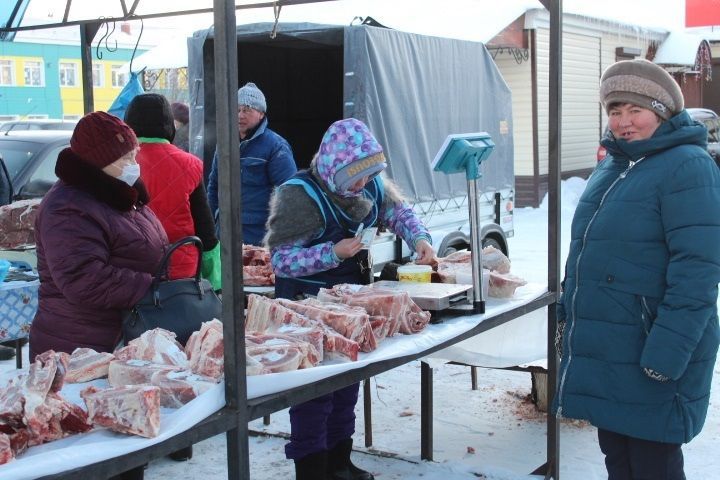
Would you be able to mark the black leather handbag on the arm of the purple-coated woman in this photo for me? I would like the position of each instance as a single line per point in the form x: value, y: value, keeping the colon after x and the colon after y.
x: 180, y: 306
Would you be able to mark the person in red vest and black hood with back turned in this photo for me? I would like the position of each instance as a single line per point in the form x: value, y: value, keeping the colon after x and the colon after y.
x: 174, y: 179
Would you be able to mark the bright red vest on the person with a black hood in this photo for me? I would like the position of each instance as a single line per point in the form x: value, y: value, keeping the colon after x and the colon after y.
x: 171, y: 176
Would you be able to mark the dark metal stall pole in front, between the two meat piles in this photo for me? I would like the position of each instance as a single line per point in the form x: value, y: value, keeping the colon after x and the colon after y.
x: 226, y: 75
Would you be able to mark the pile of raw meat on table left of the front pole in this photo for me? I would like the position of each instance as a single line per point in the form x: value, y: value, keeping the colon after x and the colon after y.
x: 153, y: 370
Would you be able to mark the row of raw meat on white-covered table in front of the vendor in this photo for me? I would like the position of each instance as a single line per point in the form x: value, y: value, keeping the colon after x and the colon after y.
x: 283, y: 335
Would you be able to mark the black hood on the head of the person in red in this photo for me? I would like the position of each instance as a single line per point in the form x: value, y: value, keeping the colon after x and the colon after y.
x: 149, y: 115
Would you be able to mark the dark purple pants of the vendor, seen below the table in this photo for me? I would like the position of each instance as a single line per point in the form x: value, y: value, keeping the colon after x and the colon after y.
x: 321, y: 423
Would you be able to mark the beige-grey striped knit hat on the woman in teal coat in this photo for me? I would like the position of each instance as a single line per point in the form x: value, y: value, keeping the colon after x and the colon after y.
x: 641, y: 83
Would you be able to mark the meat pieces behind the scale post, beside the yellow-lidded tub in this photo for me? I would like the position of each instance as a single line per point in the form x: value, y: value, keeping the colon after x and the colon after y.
x: 502, y: 283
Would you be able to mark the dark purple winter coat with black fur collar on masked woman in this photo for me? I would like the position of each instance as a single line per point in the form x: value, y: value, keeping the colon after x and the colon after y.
x: 97, y: 247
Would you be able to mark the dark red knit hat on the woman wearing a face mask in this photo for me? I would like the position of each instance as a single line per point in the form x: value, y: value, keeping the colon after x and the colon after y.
x: 100, y: 139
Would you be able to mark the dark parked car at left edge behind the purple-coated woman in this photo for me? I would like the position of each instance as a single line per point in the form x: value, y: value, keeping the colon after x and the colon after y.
x: 27, y: 166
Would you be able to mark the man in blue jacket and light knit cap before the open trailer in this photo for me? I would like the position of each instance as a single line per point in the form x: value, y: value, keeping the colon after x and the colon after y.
x: 267, y: 161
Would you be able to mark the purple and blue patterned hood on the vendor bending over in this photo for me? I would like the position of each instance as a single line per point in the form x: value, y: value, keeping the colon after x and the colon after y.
x: 347, y: 153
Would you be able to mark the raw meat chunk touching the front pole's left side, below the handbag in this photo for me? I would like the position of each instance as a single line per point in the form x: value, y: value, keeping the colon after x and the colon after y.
x: 205, y: 350
